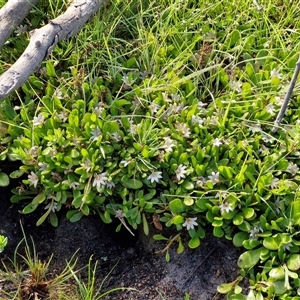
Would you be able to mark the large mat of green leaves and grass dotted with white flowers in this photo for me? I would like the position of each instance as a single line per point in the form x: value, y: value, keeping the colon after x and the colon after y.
x: 145, y: 117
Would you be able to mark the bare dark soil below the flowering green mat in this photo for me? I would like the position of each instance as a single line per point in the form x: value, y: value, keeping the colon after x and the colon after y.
x: 133, y: 259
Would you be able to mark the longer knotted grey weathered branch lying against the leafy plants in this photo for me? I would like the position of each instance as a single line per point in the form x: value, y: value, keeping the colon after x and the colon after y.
x: 44, y: 39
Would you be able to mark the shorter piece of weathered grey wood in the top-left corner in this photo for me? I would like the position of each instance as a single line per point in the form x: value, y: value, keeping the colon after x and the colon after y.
x: 11, y: 15
